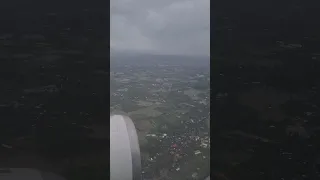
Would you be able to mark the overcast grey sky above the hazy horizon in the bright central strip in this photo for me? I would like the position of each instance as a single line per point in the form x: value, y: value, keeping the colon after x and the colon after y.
x: 161, y: 26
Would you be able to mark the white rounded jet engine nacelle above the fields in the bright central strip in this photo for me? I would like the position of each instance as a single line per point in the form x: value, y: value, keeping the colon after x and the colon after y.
x: 125, y: 162
